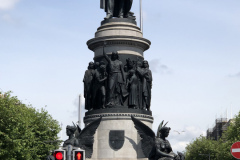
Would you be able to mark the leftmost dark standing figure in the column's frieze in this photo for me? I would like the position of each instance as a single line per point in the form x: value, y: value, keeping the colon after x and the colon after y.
x: 88, y: 82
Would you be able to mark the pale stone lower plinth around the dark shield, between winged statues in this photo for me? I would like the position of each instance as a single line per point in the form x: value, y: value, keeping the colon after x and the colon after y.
x: 118, y: 119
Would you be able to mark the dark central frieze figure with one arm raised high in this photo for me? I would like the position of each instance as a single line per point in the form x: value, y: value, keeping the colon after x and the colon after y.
x: 116, y: 79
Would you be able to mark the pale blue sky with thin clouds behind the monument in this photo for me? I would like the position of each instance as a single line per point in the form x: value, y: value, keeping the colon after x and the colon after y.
x: 194, y: 58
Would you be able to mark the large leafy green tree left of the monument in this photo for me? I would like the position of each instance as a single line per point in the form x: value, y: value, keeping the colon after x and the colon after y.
x: 25, y: 130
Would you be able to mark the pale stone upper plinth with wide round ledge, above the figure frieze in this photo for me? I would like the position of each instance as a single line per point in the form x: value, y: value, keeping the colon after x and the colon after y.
x: 120, y: 35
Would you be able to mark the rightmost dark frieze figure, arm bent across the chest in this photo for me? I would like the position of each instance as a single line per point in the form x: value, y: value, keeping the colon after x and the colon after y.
x: 146, y: 74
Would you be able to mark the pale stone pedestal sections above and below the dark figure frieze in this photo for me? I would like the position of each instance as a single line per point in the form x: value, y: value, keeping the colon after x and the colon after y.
x: 123, y: 36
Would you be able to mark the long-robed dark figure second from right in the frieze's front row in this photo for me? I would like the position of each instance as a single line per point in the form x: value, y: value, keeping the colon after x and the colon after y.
x: 133, y: 90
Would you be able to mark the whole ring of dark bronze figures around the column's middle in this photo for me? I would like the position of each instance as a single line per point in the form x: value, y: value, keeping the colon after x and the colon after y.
x: 110, y: 83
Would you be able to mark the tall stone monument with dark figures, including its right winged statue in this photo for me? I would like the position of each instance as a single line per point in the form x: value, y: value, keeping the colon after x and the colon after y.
x: 117, y: 88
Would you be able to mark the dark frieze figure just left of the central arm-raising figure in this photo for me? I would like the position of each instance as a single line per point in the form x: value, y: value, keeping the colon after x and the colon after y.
x: 101, y: 81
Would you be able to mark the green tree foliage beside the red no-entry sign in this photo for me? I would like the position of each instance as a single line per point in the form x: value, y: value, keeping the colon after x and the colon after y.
x: 218, y: 150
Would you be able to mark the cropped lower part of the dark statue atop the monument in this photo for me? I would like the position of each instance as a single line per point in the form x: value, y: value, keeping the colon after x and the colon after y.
x: 117, y: 8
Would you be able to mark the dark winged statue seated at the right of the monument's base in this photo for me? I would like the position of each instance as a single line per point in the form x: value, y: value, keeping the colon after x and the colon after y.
x: 156, y: 147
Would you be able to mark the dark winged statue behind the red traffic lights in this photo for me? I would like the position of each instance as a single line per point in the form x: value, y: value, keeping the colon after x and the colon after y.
x: 82, y: 138
